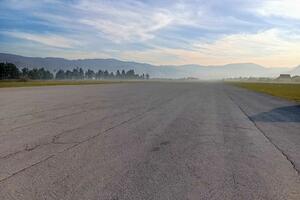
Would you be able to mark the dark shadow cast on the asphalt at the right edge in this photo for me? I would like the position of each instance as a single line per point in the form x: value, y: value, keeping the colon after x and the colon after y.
x: 282, y: 114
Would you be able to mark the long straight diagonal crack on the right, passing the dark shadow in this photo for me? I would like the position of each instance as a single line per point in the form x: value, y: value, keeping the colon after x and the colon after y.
x: 265, y: 135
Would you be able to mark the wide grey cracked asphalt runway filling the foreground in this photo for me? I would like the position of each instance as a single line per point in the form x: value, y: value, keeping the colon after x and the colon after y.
x: 148, y: 141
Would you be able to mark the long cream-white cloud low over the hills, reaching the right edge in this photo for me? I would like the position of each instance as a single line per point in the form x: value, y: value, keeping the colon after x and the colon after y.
x: 270, y: 48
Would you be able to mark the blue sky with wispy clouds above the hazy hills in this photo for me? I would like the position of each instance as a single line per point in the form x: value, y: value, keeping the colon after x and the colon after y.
x: 161, y: 32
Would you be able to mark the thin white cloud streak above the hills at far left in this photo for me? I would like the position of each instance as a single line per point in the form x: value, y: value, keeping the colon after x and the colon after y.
x: 45, y: 39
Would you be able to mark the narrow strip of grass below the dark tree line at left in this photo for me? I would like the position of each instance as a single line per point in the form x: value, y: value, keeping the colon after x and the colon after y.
x: 5, y: 84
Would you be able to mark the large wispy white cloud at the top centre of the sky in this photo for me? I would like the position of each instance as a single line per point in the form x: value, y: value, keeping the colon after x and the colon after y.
x: 132, y: 21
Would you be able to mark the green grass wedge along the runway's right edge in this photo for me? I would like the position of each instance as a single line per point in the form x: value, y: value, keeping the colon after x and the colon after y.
x: 283, y: 90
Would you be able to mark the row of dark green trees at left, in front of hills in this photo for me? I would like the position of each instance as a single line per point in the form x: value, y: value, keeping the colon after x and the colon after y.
x: 10, y: 71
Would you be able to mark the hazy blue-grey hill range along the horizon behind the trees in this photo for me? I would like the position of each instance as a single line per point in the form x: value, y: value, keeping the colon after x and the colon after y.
x: 170, y: 71
